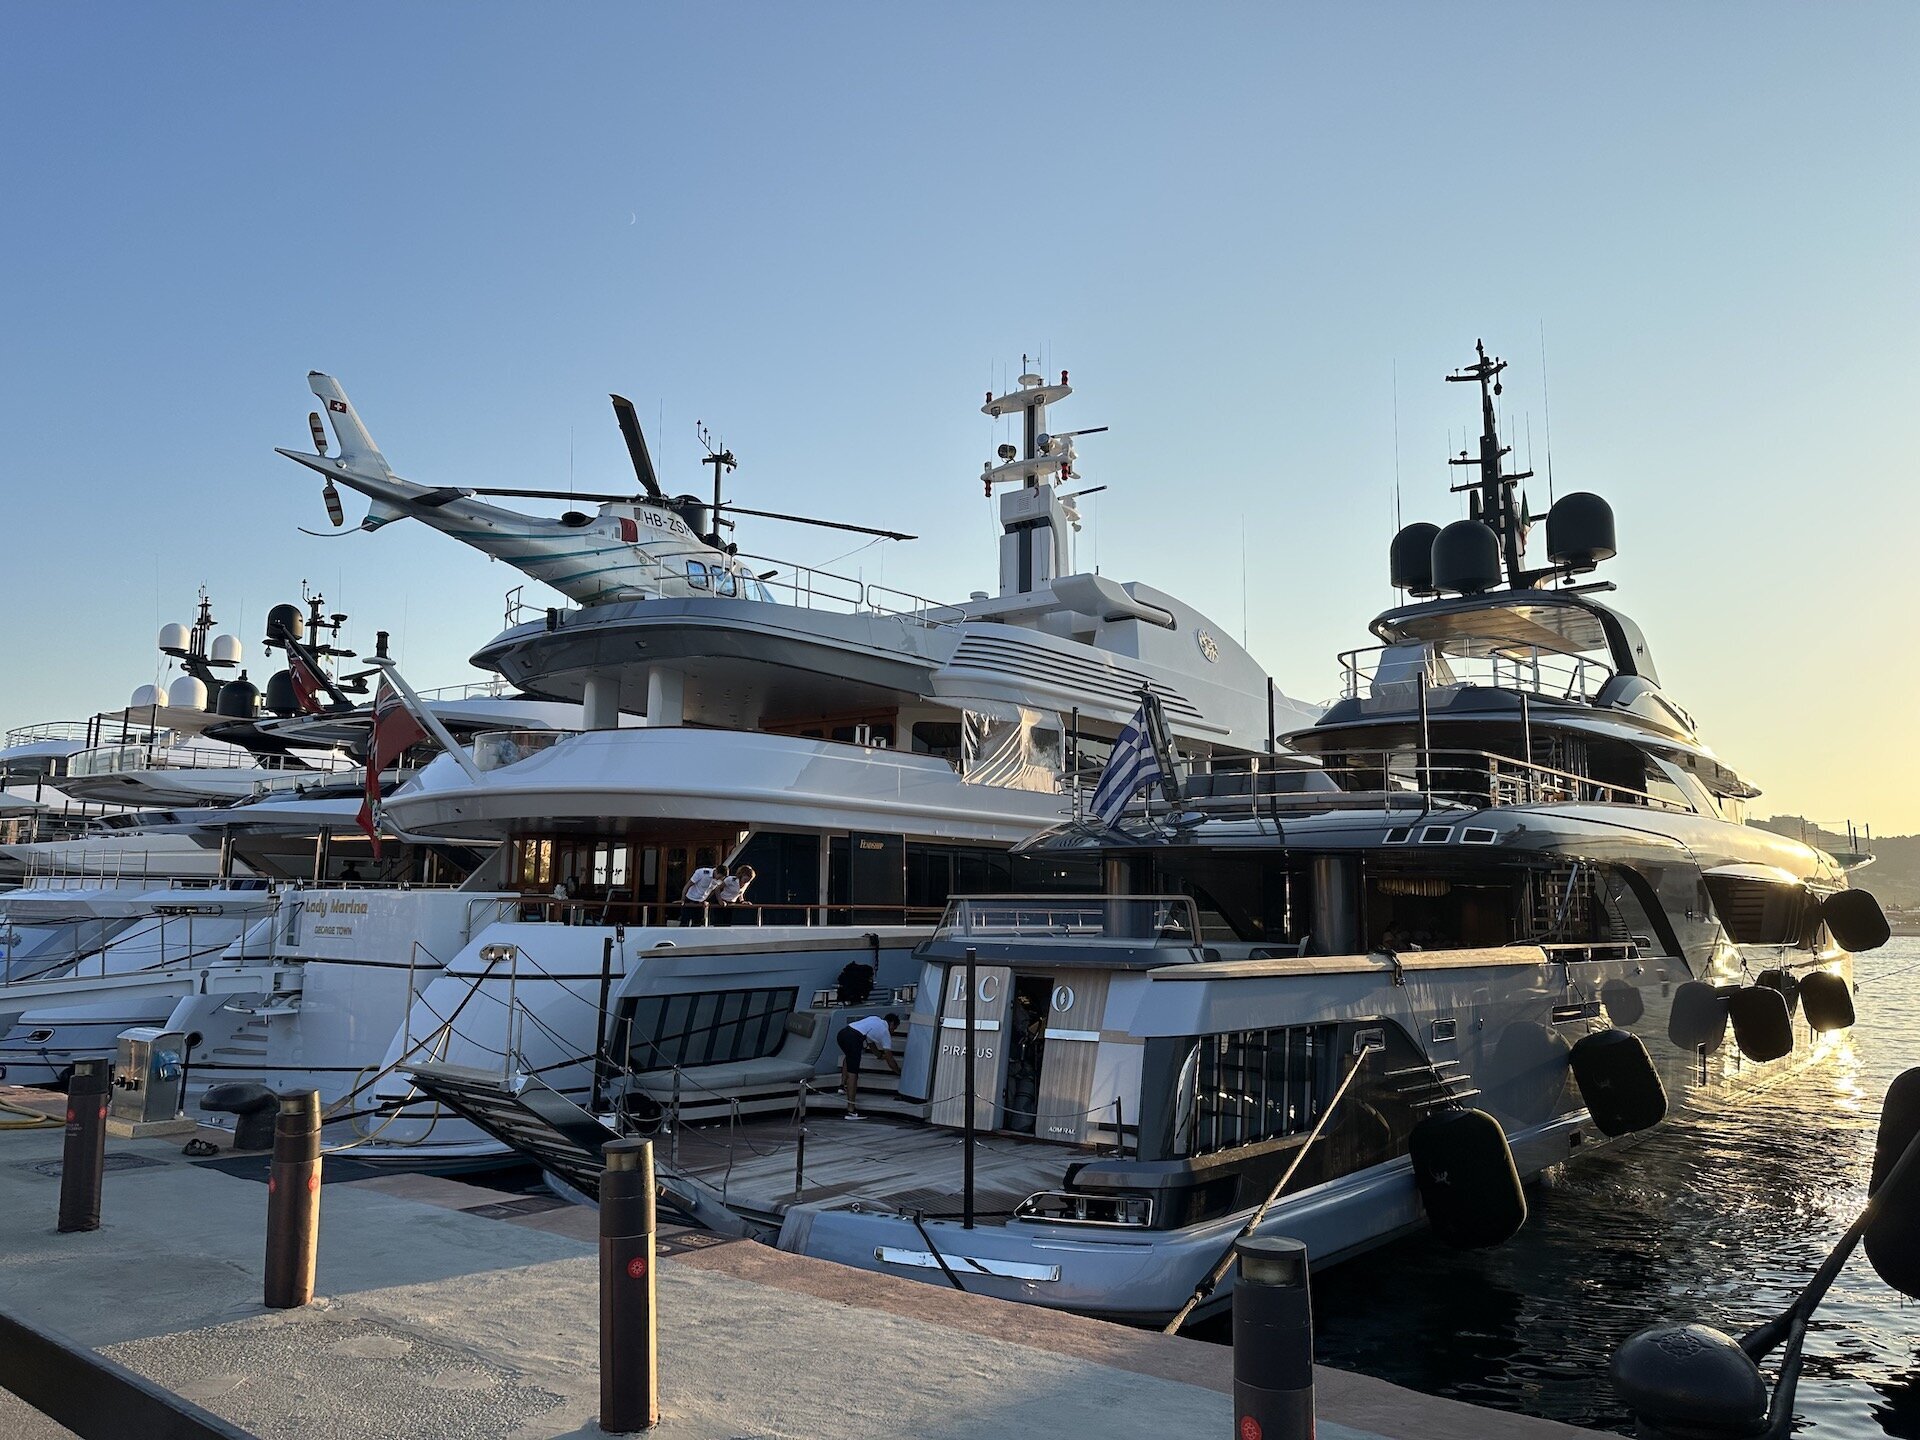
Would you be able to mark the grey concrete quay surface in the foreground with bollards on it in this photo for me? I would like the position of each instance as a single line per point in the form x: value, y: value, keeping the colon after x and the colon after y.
x: 448, y: 1310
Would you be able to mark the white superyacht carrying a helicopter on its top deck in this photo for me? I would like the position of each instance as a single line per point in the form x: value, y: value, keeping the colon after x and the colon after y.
x: 867, y: 754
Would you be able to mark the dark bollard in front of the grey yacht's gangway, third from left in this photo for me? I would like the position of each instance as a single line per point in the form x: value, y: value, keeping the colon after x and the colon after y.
x: 631, y: 1341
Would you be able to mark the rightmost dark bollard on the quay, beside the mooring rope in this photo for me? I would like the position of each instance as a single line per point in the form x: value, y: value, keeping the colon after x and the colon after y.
x: 1272, y: 1343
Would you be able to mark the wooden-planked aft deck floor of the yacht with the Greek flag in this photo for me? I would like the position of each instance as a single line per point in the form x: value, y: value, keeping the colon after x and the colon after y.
x: 880, y: 1161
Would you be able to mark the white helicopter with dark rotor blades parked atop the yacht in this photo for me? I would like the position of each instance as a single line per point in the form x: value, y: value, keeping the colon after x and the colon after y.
x: 638, y: 546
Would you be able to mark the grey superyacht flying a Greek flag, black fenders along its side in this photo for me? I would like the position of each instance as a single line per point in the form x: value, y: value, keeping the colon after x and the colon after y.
x: 1506, y: 915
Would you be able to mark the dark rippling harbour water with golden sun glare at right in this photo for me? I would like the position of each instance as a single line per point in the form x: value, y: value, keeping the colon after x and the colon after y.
x: 1710, y: 1218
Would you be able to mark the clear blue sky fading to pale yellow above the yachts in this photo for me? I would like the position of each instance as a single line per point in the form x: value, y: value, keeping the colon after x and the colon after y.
x: 828, y: 229
